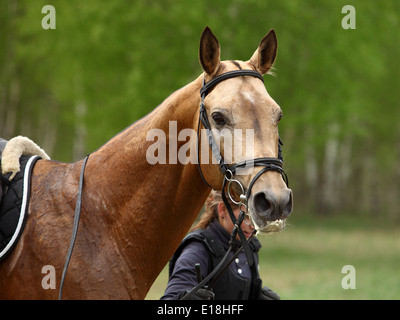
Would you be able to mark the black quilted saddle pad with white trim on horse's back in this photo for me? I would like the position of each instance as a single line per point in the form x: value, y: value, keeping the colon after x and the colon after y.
x: 14, y: 205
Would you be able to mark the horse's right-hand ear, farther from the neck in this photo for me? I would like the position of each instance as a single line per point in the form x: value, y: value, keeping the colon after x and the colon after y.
x: 264, y: 57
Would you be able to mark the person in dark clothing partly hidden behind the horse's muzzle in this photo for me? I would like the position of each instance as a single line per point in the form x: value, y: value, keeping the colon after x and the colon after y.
x: 206, y: 244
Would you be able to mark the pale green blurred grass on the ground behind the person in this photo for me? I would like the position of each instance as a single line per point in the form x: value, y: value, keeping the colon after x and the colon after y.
x: 305, y: 260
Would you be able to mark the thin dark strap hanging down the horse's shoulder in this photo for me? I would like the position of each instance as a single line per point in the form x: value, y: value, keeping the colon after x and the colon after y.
x: 74, y: 227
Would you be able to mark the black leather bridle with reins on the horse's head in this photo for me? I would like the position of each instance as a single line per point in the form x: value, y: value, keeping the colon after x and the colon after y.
x: 268, y: 164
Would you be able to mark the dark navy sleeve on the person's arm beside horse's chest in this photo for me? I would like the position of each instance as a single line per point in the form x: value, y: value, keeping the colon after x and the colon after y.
x: 184, y: 276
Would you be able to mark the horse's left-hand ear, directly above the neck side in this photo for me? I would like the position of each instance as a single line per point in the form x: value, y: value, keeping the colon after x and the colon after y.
x: 209, y: 52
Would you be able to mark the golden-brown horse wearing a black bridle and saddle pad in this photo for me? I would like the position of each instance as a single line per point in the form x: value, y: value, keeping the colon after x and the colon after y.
x: 135, y: 213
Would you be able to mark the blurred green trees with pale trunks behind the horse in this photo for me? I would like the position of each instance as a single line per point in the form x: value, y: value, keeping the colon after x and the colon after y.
x: 109, y: 63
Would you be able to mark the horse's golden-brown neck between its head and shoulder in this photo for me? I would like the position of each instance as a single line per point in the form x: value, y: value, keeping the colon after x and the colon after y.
x: 150, y: 206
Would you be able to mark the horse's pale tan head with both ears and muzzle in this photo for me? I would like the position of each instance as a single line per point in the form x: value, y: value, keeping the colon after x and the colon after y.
x: 240, y: 111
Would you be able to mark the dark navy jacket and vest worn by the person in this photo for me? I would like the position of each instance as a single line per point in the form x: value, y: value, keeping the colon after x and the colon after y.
x: 207, y: 247
